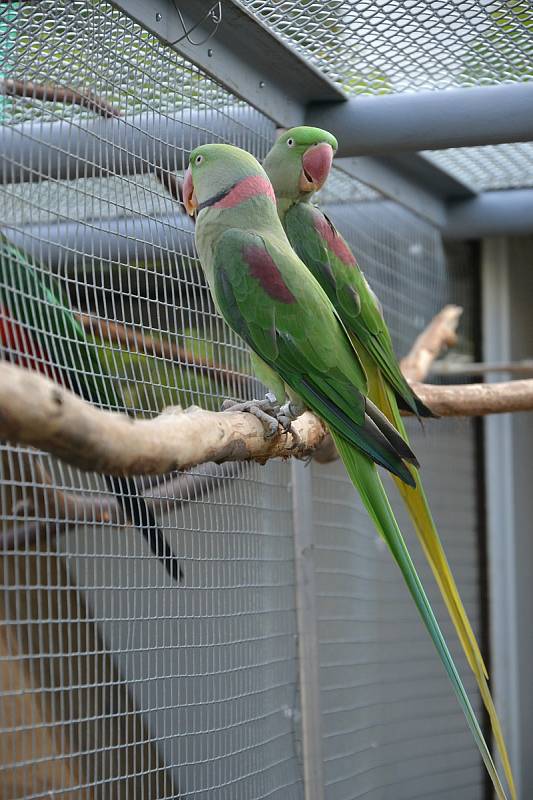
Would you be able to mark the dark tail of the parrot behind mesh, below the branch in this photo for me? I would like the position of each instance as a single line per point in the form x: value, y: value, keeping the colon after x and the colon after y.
x: 136, y: 510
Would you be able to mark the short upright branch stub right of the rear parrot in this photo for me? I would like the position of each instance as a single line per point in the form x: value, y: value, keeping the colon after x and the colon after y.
x: 440, y: 333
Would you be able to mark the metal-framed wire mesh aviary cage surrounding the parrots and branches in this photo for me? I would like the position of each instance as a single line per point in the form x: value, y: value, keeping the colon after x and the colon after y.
x: 114, y: 681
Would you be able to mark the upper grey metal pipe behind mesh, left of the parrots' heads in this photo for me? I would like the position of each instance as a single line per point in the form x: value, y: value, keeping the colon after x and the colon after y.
x: 62, y: 150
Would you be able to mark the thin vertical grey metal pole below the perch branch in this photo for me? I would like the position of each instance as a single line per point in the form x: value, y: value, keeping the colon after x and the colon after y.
x: 308, y: 648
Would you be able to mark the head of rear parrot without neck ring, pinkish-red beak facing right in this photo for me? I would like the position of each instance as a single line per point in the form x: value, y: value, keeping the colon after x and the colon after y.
x: 299, y: 162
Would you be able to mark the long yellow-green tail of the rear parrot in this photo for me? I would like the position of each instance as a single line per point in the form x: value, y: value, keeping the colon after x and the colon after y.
x: 419, y: 511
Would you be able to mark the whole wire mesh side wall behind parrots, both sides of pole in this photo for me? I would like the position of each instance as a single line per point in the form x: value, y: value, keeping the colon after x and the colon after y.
x: 115, y: 681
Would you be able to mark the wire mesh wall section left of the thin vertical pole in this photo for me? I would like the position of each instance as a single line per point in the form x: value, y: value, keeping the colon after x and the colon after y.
x: 116, y: 681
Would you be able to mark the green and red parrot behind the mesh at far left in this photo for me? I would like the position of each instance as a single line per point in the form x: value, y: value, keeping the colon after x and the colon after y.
x: 39, y: 331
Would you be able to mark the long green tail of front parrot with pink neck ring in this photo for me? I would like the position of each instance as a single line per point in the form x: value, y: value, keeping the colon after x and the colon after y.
x: 366, y: 480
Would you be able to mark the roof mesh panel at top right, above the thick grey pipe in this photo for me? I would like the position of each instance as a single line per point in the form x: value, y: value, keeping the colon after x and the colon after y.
x: 381, y: 46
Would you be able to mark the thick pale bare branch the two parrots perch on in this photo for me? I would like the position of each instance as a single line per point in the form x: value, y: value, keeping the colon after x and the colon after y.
x: 35, y: 411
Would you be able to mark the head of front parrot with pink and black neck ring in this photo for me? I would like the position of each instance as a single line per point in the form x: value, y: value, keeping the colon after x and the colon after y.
x: 222, y: 177
